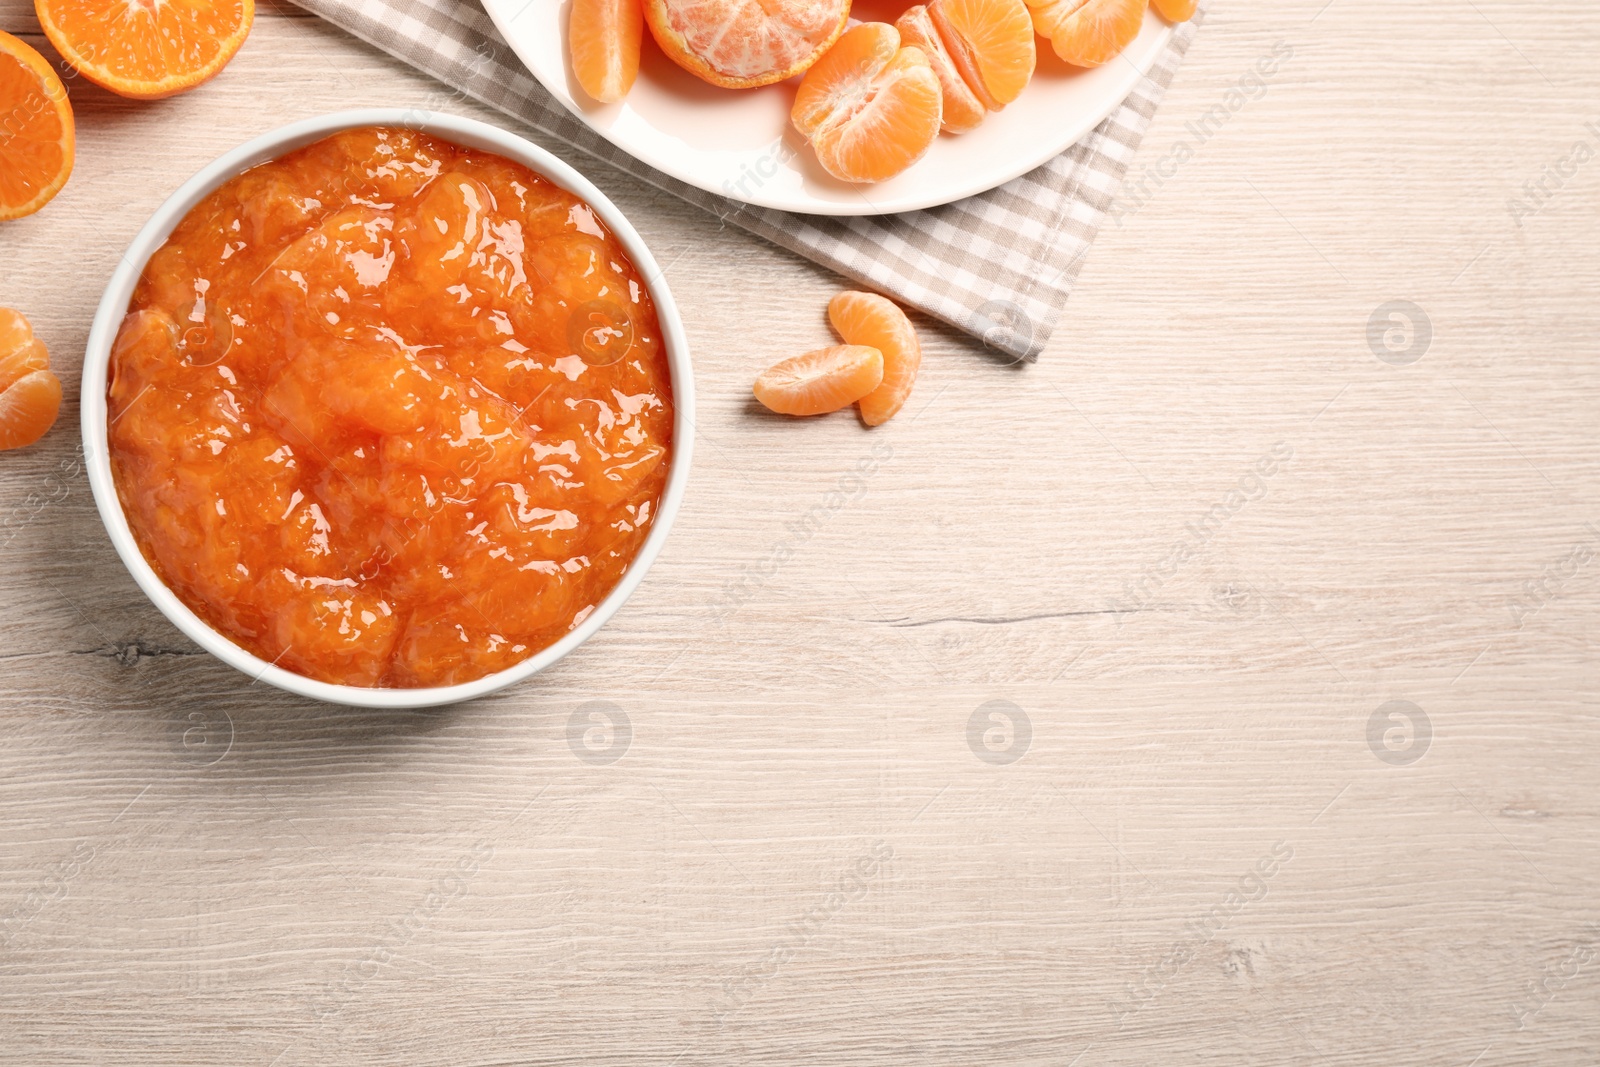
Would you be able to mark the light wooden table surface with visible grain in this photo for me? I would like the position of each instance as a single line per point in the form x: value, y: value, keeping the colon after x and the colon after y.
x: 1209, y: 852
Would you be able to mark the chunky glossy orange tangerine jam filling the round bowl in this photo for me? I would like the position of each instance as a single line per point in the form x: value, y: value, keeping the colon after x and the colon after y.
x: 390, y: 412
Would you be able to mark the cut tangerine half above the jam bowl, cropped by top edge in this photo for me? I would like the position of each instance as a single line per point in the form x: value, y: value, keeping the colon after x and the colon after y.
x: 146, y: 49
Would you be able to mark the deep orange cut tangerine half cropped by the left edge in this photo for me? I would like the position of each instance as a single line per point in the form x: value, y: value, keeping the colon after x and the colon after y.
x: 36, y: 130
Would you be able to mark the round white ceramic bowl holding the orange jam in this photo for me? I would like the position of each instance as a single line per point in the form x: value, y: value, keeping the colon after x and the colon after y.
x: 114, y: 305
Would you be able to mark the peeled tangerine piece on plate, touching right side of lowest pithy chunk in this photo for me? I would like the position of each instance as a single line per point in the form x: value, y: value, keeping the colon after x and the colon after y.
x: 982, y: 50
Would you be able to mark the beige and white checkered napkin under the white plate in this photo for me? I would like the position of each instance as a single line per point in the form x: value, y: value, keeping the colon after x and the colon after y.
x: 999, y: 266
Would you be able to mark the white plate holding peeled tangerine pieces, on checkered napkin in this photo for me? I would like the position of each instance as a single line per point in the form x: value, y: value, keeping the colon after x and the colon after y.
x: 740, y: 145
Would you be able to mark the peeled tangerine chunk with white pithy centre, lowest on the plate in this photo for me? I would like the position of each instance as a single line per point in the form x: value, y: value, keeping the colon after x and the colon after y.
x: 870, y: 108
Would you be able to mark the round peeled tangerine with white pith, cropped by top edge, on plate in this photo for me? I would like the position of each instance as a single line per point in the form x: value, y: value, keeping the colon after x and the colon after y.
x: 745, y: 44
